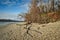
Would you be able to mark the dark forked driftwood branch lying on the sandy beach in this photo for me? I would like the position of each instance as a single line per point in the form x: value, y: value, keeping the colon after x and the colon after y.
x: 28, y: 28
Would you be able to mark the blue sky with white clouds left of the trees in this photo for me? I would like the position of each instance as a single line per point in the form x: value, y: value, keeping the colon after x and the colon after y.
x: 9, y: 9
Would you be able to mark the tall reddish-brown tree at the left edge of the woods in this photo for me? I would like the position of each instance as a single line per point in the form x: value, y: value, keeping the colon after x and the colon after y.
x: 34, y: 11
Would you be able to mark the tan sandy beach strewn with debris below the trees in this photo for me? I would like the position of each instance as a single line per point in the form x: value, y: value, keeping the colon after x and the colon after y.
x: 50, y: 31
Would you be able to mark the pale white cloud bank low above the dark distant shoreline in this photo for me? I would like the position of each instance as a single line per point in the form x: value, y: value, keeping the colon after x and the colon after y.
x: 10, y: 16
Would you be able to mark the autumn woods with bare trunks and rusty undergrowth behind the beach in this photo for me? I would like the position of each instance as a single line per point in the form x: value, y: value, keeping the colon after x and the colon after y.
x: 43, y: 12
